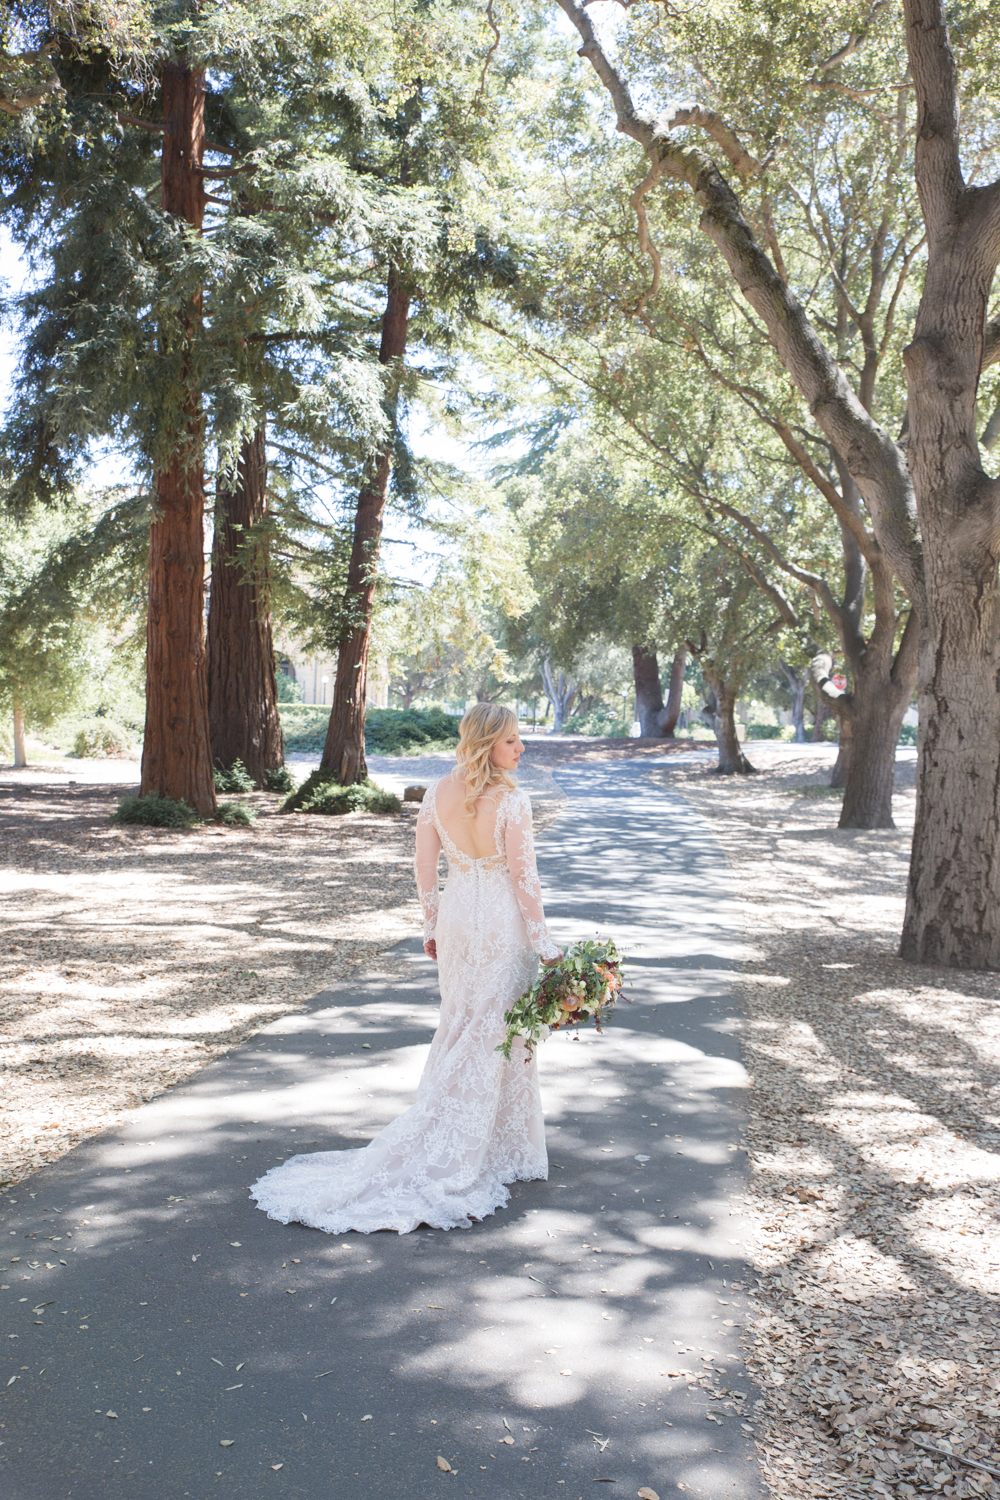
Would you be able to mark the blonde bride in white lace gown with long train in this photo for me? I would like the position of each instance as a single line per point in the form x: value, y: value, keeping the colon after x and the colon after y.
x: 478, y: 1121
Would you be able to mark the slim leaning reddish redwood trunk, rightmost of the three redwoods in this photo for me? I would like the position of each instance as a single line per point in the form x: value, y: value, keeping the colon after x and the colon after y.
x: 344, y: 749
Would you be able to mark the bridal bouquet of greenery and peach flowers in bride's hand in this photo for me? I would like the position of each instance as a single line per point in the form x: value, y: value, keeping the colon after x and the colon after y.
x: 581, y: 988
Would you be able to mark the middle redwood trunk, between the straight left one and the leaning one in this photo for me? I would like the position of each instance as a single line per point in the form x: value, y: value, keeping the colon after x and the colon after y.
x: 244, y: 719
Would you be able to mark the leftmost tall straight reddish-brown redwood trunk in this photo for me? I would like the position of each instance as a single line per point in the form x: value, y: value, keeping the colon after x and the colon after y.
x: 176, y: 752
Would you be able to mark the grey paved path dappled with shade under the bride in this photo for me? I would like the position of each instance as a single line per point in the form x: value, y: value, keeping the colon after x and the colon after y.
x: 169, y: 1342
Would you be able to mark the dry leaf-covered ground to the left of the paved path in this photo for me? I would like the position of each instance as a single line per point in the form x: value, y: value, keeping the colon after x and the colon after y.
x: 134, y: 956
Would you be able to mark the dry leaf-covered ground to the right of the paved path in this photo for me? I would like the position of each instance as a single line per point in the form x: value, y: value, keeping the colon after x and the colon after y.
x: 875, y: 1144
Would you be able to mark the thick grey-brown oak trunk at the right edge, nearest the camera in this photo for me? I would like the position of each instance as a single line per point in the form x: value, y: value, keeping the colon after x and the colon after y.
x: 954, y: 890
